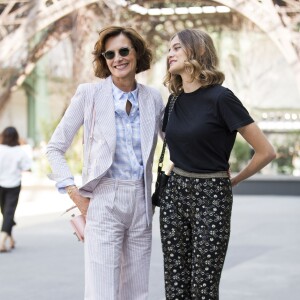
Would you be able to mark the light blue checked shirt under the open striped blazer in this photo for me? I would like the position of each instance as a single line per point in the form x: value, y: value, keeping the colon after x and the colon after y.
x: 128, y: 162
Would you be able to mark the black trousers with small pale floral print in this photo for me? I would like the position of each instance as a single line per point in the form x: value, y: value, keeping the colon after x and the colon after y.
x: 195, y: 218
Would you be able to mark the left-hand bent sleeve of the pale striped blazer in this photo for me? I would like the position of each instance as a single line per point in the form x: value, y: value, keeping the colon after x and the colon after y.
x: 63, y: 137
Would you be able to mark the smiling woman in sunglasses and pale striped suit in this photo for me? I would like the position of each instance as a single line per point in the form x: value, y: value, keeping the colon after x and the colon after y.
x: 121, y: 119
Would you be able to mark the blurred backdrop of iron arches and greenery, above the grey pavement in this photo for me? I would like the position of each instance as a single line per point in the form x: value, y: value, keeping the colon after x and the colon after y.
x: 46, y: 51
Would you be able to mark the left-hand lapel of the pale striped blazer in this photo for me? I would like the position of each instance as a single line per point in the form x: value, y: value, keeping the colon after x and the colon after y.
x: 105, y: 113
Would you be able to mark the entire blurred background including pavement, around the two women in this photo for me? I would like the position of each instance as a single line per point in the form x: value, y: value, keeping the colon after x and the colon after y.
x: 46, y: 51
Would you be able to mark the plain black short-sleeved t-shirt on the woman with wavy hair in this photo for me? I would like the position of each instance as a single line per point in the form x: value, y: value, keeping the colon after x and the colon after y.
x: 202, y: 129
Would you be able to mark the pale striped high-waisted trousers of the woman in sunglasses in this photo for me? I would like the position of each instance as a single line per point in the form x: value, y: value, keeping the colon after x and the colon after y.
x: 117, y: 242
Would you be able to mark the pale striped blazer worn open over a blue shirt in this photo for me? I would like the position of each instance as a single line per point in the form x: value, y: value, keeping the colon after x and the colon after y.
x: 93, y: 107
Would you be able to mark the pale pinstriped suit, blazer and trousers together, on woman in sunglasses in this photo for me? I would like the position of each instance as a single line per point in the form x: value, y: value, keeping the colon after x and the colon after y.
x: 118, y: 230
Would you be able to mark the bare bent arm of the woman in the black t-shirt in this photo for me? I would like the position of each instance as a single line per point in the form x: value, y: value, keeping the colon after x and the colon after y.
x: 264, y: 152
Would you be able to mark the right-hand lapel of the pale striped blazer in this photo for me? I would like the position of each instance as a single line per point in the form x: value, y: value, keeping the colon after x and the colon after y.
x: 147, y: 121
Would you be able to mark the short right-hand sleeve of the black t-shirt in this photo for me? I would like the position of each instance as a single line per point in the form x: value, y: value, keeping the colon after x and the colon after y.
x: 232, y: 111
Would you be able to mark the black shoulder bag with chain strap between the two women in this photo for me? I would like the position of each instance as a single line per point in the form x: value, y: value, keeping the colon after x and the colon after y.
x: 162, y: 178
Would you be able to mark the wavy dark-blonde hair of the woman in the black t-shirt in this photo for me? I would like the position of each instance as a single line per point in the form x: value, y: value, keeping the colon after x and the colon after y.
x: 202, y: 62
